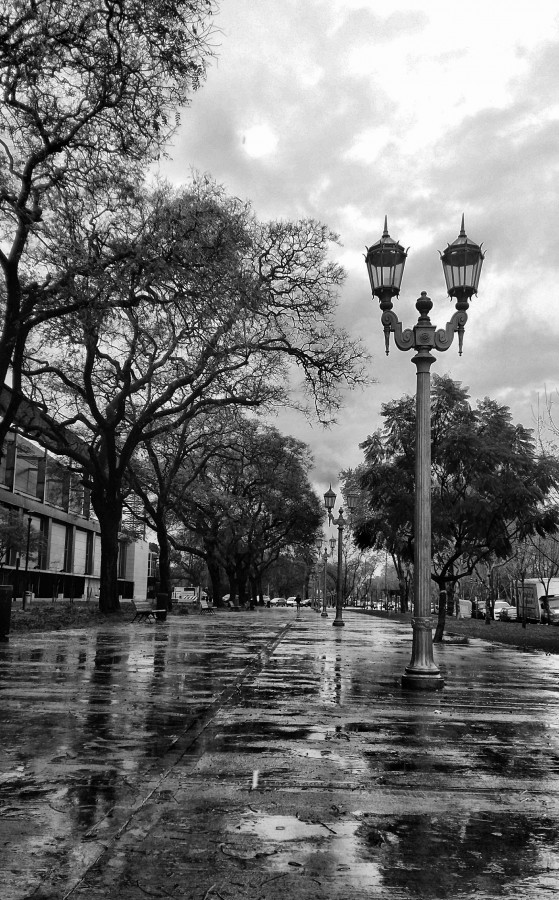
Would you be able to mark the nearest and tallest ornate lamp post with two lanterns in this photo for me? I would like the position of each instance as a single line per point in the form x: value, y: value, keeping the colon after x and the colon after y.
x: 462, y: 261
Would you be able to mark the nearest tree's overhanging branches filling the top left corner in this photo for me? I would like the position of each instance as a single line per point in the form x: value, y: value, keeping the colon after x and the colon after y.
x: 89, y: 93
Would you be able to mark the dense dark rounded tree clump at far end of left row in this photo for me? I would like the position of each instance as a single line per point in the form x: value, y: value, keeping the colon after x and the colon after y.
x: 251, y: 506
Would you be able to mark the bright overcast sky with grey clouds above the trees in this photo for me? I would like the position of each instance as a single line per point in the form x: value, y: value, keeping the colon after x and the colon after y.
x: 347, y: 110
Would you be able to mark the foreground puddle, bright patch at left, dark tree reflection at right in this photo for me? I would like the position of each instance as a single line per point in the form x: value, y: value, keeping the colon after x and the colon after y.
x: 428, y: 857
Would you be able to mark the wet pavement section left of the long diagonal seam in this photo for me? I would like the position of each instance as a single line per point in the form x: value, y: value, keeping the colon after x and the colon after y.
x: 83, y: 717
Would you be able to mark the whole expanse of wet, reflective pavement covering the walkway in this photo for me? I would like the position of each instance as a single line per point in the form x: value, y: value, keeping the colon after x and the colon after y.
x: 253, y: 754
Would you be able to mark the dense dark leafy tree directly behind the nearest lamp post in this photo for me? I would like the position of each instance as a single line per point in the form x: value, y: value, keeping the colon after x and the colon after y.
x: 489, y: 487
